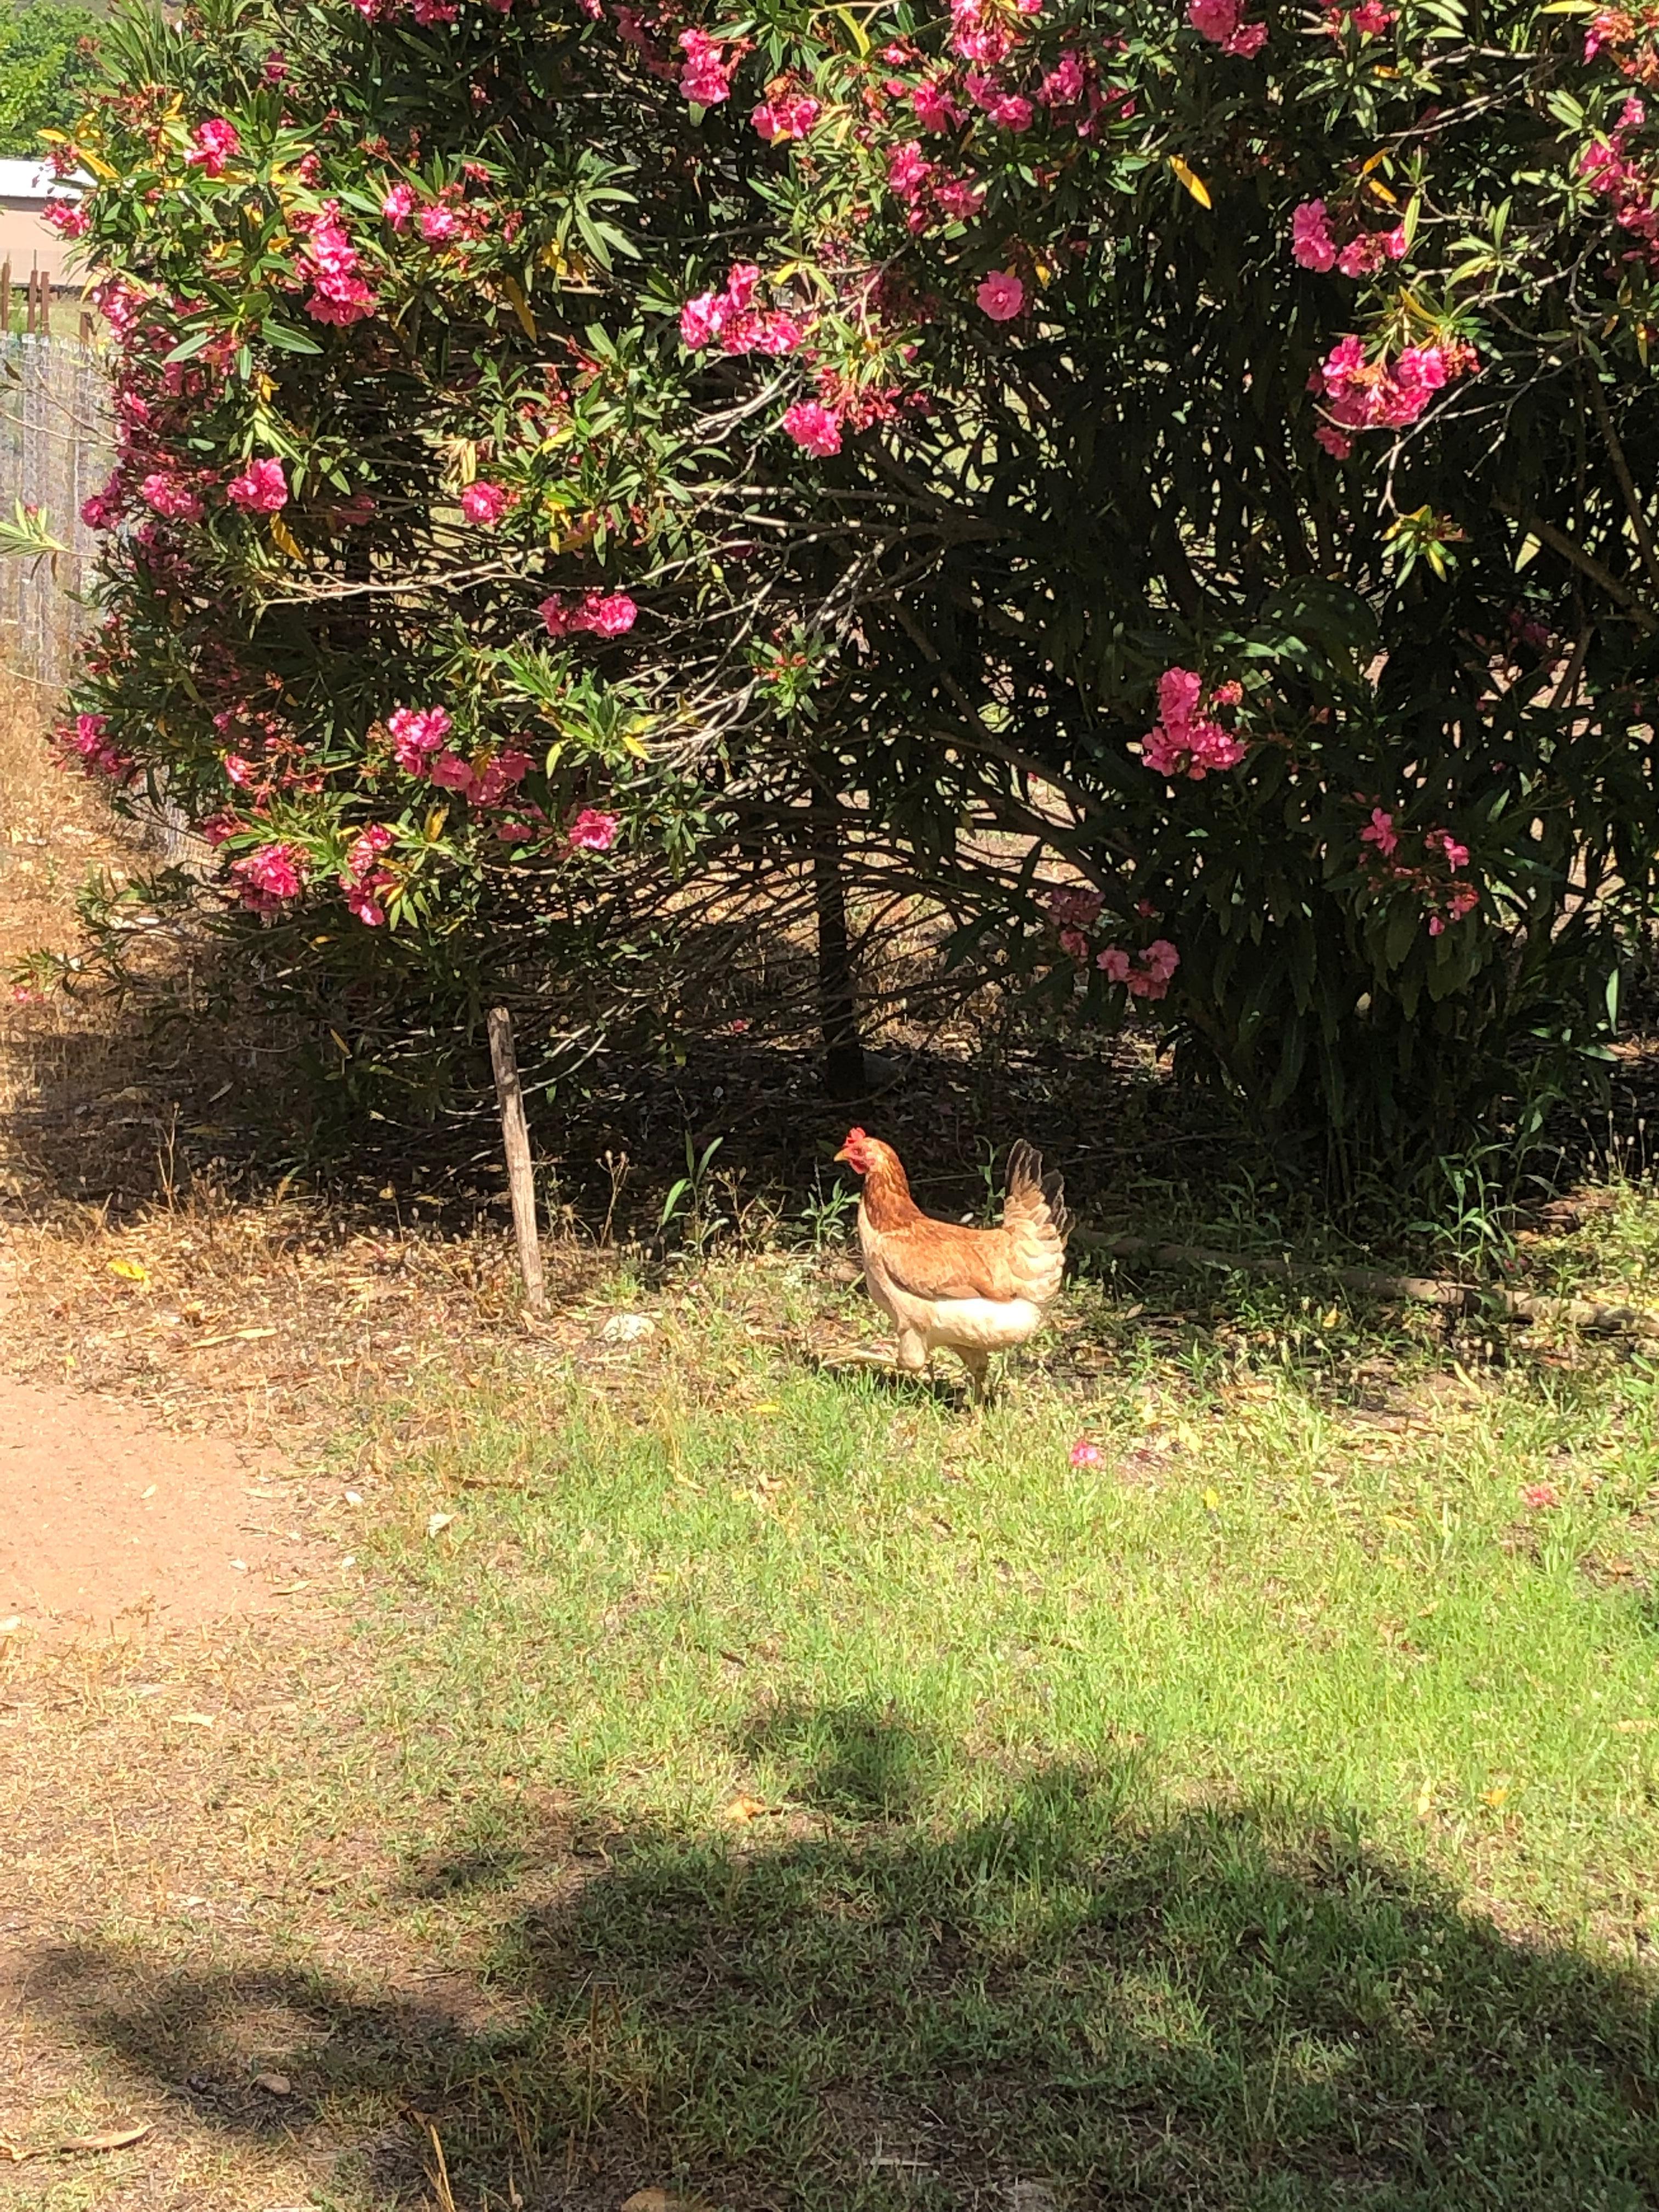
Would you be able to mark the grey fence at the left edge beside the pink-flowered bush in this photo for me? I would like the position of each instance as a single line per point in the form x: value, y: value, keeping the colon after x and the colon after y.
x: 56, y: 446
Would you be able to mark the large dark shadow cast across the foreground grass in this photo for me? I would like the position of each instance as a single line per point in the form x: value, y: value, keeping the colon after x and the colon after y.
x: 1070, y: 2003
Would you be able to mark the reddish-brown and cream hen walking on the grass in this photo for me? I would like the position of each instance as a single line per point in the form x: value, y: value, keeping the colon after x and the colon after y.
x: 950, y: 1288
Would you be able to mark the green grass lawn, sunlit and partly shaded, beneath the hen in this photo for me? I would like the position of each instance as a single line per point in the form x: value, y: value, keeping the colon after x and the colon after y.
x: 839, y: 1802
